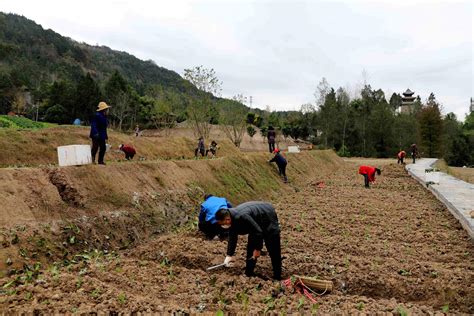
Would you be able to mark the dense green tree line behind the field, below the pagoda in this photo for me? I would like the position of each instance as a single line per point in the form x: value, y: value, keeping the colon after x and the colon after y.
x: 370, y: 126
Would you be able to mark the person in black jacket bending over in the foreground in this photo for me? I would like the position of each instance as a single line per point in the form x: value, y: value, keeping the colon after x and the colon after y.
x: 259, y: 221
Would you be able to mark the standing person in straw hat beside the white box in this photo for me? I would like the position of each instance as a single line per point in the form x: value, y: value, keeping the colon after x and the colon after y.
x: 98, y: 132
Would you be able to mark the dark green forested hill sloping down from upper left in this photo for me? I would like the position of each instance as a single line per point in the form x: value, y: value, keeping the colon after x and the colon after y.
x: 31, y: 55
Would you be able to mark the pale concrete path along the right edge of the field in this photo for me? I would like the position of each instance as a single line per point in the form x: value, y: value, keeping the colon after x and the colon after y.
x: 456, y: 194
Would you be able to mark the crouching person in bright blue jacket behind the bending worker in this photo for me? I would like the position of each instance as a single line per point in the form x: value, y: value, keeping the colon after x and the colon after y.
x: 207, y: 217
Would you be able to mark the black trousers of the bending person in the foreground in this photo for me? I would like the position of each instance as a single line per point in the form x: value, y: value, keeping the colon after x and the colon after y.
x: 272, y: 242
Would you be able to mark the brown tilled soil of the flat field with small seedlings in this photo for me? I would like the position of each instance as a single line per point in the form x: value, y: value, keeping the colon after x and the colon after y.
x: 391, y: 248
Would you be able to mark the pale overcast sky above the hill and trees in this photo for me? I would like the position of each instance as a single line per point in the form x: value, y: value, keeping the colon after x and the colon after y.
x: 278, y: 51
